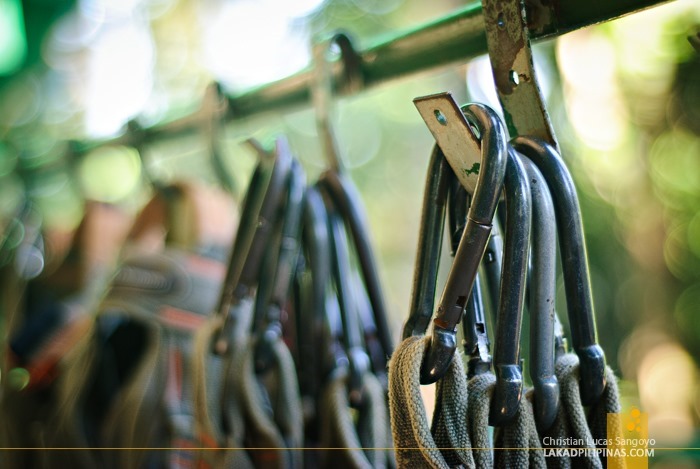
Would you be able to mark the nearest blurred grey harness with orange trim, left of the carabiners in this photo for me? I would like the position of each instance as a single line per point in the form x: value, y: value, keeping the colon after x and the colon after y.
x: 130, y: 381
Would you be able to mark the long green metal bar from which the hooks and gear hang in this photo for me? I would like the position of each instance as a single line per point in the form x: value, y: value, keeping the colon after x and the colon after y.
x: 452, y: 39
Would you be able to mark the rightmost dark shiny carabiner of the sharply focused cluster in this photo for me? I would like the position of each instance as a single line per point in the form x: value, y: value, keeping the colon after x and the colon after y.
x: 575, y: 266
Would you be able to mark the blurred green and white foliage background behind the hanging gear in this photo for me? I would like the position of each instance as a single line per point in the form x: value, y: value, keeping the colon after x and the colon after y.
x: 624, y: 97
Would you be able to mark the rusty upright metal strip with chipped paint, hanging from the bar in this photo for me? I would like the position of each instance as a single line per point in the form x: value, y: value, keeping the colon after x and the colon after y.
x: 508, y: 43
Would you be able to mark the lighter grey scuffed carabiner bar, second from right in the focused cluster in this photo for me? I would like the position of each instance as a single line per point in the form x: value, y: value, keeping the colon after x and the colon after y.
x: 542, y: 293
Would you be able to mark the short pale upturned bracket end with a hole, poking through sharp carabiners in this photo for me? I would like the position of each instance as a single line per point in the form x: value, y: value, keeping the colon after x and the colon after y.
x: 454, y: 136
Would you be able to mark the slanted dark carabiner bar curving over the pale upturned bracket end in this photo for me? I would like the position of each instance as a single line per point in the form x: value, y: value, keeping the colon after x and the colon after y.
x: 443, y: 342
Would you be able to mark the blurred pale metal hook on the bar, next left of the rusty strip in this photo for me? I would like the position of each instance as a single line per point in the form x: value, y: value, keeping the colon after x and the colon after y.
x: 350, y: 79
